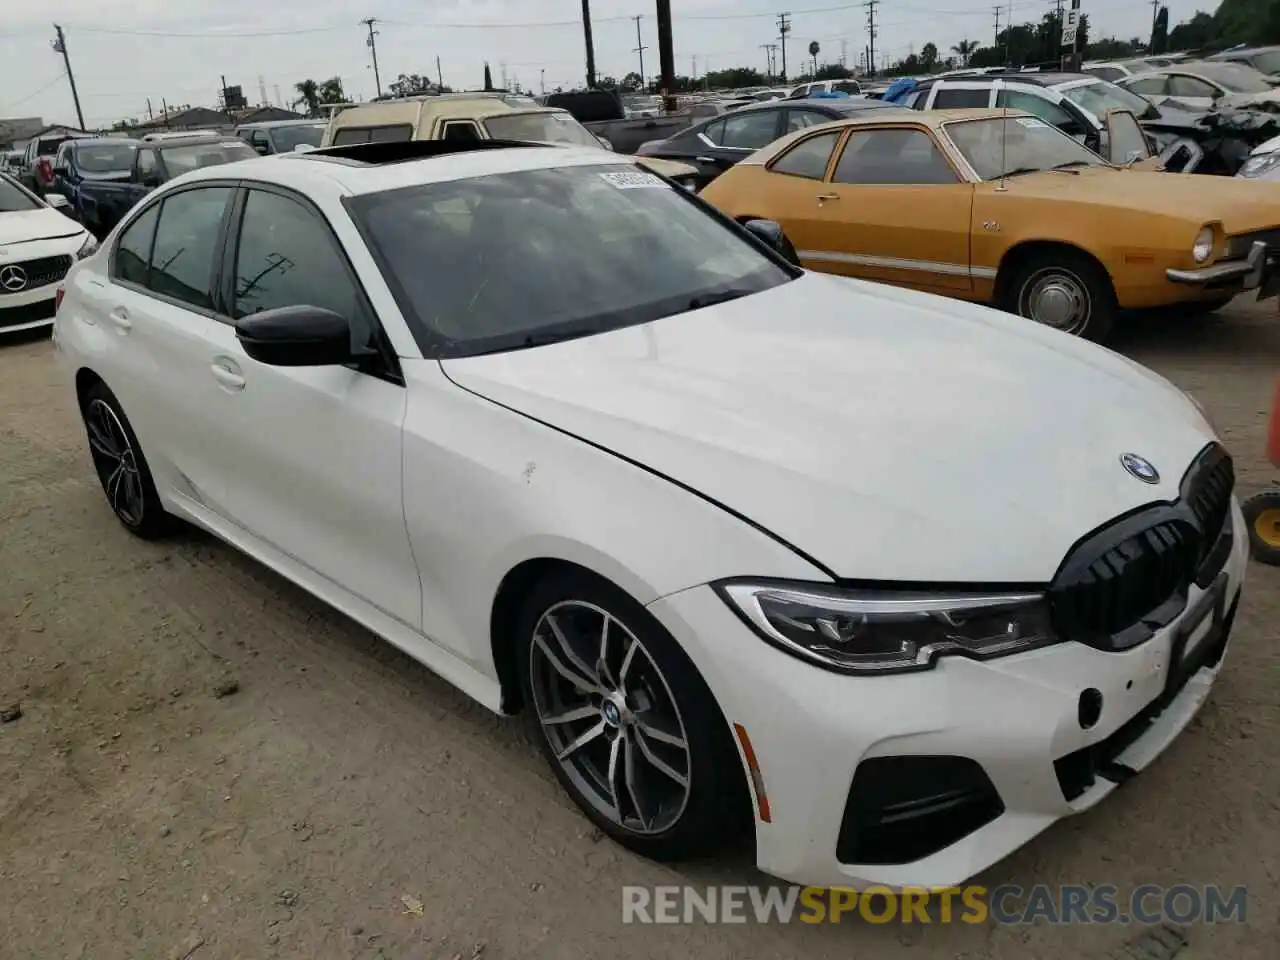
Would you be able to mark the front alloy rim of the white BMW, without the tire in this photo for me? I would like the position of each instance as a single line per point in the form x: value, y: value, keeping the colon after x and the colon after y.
x: 610, y: 717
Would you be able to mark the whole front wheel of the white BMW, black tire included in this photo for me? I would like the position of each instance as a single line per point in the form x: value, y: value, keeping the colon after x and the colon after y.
x: 582, y: 734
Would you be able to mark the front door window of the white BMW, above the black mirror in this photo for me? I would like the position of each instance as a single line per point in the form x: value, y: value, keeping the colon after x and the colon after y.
x: 286, y: 258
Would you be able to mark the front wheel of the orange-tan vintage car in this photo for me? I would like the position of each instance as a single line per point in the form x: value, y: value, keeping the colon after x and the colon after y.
x: 1064, y: 290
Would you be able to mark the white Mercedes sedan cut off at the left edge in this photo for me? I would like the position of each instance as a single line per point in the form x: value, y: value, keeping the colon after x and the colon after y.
x: 38, y: 248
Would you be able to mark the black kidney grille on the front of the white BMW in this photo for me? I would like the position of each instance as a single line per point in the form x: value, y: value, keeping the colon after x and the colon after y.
x: 1132, y: 577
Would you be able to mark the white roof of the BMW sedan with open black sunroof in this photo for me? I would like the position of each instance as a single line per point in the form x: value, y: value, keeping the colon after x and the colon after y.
x: 339, y: 171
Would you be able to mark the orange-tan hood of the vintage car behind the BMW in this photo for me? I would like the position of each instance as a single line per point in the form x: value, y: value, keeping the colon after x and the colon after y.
x: 1176, y: 195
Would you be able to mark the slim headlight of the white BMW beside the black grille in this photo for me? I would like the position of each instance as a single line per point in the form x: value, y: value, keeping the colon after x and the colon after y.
x: 889, y: 632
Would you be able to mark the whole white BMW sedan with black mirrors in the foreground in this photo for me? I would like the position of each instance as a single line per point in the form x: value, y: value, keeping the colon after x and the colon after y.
x: 892, y: 582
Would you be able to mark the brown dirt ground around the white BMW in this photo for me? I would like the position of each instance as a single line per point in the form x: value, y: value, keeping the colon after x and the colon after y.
x: 144, y: 816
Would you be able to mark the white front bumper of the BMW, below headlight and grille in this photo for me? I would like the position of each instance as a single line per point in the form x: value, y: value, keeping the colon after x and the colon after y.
x: 1018, y: 721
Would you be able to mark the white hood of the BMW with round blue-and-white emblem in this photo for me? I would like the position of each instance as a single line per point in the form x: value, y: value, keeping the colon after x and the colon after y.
x: 888, y: 435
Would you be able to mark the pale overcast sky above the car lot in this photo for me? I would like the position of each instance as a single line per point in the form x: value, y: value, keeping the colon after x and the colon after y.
x: 179, y: 51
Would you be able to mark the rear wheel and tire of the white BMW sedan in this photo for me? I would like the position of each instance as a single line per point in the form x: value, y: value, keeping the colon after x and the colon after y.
x: 121, y: 467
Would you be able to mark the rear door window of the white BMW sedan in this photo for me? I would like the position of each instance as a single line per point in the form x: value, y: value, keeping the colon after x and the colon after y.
x: 184, y: 257
